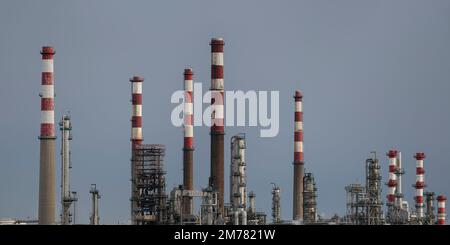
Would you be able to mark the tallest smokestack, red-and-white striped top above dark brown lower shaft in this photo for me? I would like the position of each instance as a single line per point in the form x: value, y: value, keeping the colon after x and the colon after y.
x: 217, y: 120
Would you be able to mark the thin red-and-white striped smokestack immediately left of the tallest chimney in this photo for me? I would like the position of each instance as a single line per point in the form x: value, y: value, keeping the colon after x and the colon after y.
x: 188, y: 149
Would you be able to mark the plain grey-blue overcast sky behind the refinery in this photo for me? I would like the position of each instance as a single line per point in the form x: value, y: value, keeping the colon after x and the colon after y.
x: 374, y: 74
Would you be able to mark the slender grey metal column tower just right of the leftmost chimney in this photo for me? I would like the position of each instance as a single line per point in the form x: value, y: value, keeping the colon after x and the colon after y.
x: 67, y: 197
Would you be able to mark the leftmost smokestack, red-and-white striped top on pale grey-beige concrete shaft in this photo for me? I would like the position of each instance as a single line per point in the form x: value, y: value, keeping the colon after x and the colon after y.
x: 47, y: 178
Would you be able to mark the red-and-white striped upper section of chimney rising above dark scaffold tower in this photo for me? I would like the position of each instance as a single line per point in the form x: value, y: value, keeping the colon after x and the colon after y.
x: 136, y: 114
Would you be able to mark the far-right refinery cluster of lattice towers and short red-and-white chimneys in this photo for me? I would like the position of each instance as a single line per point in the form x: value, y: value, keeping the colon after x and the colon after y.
x: 364, y: 205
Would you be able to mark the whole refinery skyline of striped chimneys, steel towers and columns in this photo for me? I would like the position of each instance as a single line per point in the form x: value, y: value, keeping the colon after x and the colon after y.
x: 150, y: 205
